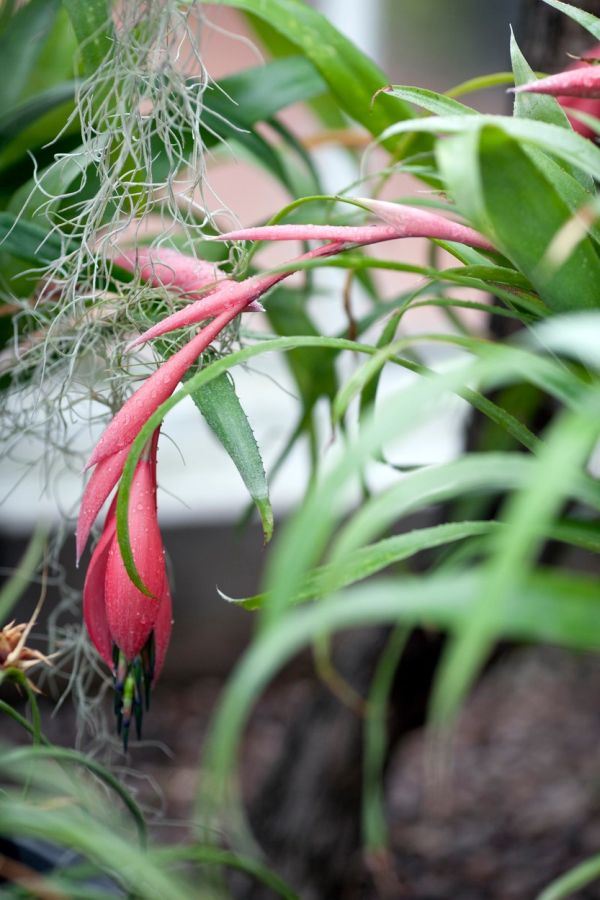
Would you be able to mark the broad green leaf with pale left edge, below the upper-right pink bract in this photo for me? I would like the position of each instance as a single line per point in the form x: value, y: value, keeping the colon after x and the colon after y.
x: 502, y: 180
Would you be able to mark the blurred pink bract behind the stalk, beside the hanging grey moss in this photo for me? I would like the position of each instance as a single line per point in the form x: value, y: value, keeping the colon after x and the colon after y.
x: 163, y: 267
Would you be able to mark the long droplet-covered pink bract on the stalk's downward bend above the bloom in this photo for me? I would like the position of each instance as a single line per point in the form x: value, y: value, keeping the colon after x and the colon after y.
x: 124, y: 427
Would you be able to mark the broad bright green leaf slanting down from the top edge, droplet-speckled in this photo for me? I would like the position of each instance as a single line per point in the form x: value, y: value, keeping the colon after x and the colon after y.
x: 351, y: 76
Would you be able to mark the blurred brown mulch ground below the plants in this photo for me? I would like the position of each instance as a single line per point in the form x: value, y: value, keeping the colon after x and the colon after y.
x: 518, y: 803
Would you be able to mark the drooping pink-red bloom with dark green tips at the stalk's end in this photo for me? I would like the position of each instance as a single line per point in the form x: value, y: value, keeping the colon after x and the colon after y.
x: 130, y: 629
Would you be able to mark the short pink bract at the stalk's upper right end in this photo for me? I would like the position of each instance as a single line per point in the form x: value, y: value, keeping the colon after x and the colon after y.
x: 413, y: 221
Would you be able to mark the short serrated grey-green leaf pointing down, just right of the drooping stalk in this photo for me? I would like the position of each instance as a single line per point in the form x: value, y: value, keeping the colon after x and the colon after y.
x: 220, y: 406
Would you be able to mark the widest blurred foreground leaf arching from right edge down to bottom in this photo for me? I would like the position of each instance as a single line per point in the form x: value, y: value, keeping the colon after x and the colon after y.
x: 552, y: 606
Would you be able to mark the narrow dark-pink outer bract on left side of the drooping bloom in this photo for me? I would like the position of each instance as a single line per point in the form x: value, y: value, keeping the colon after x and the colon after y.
x: 94, y: 605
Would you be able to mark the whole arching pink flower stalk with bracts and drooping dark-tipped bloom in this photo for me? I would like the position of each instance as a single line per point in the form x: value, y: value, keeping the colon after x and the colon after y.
x: 129, y: 628
